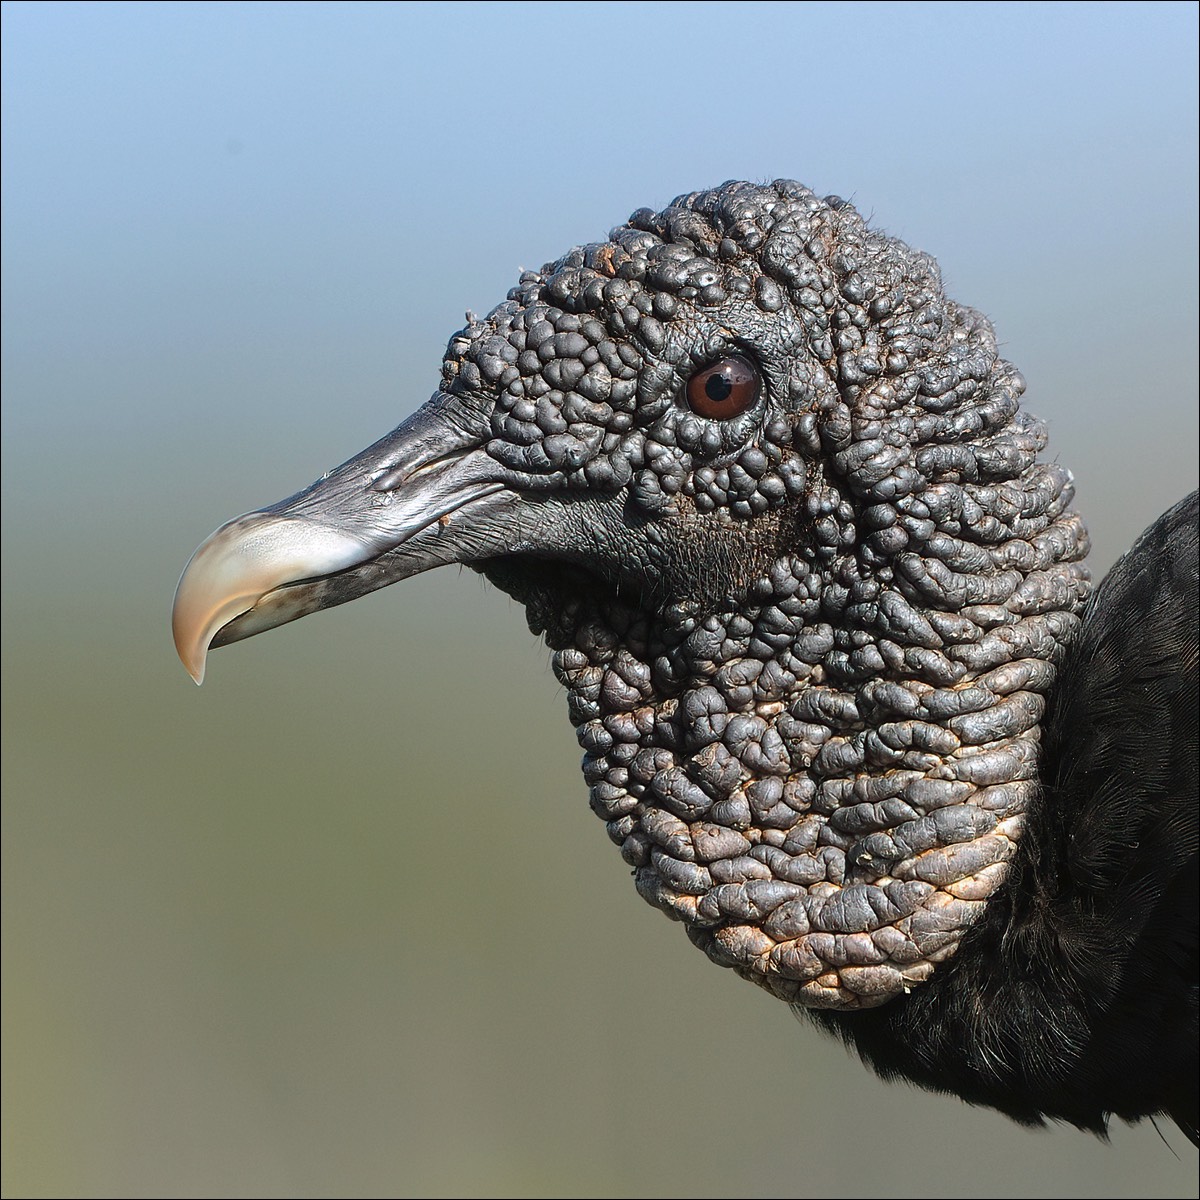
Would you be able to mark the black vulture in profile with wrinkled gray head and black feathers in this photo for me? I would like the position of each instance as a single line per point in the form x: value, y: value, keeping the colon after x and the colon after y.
x: 819, y: 604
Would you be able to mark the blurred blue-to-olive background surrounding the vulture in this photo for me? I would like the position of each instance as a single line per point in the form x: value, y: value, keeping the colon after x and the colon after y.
x: 259, y: 940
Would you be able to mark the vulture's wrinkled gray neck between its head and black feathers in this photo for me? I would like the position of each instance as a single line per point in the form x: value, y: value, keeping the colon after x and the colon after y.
x: 825, y: 778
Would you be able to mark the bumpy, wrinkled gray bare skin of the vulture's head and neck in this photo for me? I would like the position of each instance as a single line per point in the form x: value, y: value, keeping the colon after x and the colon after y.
x: 806, y: 650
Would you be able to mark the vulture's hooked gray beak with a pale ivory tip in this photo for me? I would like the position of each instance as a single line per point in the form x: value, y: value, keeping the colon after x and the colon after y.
x: 425, y: 495
